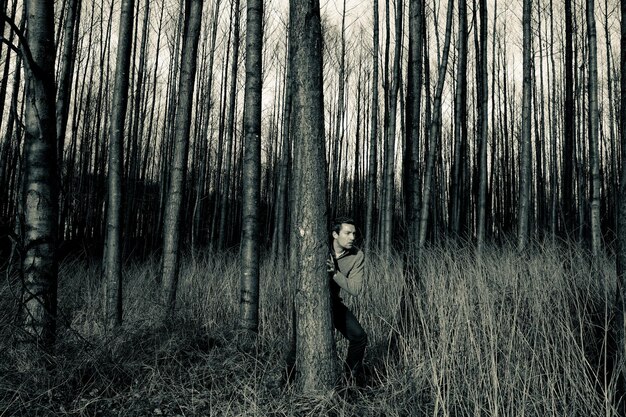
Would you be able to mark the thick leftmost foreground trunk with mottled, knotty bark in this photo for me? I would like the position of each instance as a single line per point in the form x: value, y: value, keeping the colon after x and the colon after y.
x: 40, y: 192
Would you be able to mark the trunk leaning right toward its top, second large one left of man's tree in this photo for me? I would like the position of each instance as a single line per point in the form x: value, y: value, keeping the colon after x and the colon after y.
x: 172, y: 215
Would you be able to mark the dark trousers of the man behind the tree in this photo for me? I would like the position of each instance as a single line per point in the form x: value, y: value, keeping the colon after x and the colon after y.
x: 351, y: 329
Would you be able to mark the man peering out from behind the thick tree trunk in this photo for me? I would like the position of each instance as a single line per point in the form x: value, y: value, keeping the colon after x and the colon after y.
x: 345, y: 270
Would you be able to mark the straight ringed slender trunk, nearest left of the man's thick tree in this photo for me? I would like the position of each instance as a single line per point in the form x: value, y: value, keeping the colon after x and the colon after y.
x: 249, y: 287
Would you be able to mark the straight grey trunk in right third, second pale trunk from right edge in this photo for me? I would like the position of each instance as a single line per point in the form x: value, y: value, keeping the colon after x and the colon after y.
x: 525, y: 148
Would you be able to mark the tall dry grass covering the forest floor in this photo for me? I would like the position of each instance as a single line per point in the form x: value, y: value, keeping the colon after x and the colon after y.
x: 495, y: 335
